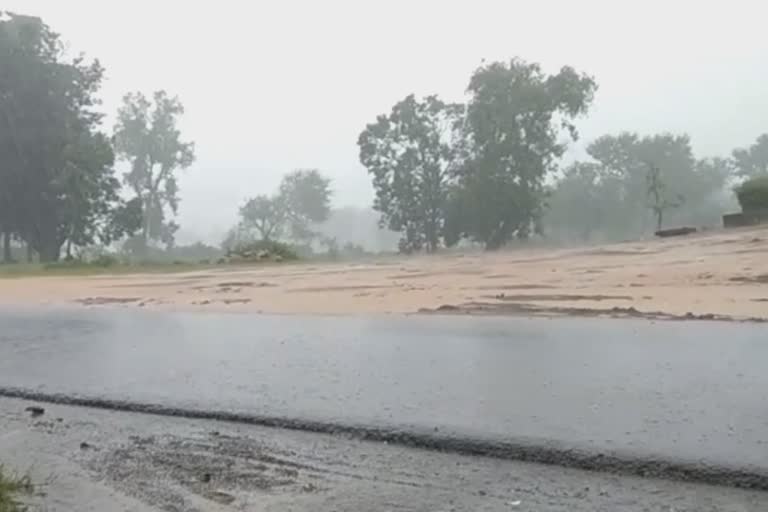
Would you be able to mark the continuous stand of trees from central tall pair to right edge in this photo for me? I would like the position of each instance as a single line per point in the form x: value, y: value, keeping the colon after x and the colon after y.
x: 490, y: 170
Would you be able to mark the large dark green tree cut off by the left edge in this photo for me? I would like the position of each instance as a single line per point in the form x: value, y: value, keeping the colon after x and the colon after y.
x: 56, y: 176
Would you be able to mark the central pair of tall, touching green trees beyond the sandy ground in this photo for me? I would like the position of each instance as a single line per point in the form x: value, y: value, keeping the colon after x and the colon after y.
x: 446, y: 172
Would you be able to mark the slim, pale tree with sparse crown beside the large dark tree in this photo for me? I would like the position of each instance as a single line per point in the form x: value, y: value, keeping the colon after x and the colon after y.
x: 146, y: 135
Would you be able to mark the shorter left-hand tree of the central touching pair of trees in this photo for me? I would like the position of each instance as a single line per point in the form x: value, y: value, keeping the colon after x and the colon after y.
x: 410, y: 153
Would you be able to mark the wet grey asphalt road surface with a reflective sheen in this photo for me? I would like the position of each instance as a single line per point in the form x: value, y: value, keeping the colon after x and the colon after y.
x: 692, y: 391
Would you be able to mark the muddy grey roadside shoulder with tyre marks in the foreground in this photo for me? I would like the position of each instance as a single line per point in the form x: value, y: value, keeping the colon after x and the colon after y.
x: 92, y: 460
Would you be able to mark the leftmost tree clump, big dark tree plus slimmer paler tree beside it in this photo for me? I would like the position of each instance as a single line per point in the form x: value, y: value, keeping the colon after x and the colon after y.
x: 59, y: 189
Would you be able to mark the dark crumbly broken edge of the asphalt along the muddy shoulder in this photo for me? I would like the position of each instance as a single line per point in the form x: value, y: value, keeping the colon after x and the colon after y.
x: 550, y: 453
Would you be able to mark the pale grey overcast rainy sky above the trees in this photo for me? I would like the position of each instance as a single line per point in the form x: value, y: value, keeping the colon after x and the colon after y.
x: 271, y: 86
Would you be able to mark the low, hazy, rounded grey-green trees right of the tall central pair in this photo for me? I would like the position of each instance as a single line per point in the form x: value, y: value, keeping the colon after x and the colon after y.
x: 619, y: 185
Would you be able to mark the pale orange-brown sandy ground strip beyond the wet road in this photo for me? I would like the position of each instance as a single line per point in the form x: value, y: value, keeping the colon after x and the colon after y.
x: 722, y: 273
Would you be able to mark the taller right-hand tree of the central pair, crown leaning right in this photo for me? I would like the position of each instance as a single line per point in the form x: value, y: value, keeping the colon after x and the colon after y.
x: 514, y: 123
